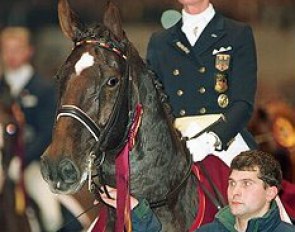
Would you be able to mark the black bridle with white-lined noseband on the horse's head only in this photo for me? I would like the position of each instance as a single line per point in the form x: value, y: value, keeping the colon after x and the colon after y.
x: 101, y: 135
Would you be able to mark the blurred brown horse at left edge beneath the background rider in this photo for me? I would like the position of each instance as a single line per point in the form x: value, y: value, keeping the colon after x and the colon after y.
x: 13, y: 215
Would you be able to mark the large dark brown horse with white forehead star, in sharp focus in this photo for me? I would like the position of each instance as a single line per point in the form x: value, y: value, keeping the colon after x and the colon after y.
x: 104, y: 88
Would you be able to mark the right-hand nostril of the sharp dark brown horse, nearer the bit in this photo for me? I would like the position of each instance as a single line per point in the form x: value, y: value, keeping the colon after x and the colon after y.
x: 68, y: 171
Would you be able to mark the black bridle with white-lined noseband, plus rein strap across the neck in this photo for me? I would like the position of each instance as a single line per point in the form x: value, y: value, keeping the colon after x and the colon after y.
x: 101, y: 135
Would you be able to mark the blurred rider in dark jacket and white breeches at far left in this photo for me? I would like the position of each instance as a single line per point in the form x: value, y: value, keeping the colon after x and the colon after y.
x: 37, y: 98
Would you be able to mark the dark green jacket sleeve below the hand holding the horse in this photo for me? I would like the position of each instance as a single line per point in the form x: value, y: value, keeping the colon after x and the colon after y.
x: 143, y: 218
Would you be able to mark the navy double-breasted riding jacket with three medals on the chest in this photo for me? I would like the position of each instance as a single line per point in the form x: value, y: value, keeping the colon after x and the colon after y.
x: 217, y: 75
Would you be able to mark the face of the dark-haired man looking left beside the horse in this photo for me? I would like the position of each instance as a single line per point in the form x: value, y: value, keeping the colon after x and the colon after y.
x: 247, y: 195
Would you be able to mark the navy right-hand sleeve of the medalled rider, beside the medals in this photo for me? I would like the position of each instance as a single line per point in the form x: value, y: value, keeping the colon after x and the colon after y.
x: 244, y: 75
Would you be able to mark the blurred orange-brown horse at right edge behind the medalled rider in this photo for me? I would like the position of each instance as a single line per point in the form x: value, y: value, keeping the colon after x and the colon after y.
x: 273, y: 125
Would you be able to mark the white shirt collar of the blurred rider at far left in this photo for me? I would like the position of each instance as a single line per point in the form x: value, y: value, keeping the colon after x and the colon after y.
x: 17, y: 79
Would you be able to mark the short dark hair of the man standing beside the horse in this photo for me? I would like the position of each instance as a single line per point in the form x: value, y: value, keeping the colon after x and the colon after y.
x: 269, y: 169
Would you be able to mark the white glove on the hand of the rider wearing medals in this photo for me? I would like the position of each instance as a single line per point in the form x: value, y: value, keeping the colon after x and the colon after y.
x: 203, y: 145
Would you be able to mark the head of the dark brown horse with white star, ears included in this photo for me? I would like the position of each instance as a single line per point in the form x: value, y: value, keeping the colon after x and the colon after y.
x: 94, y: 89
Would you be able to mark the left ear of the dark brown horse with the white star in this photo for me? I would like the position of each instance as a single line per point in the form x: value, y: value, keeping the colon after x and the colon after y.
x: 68, y: 20
